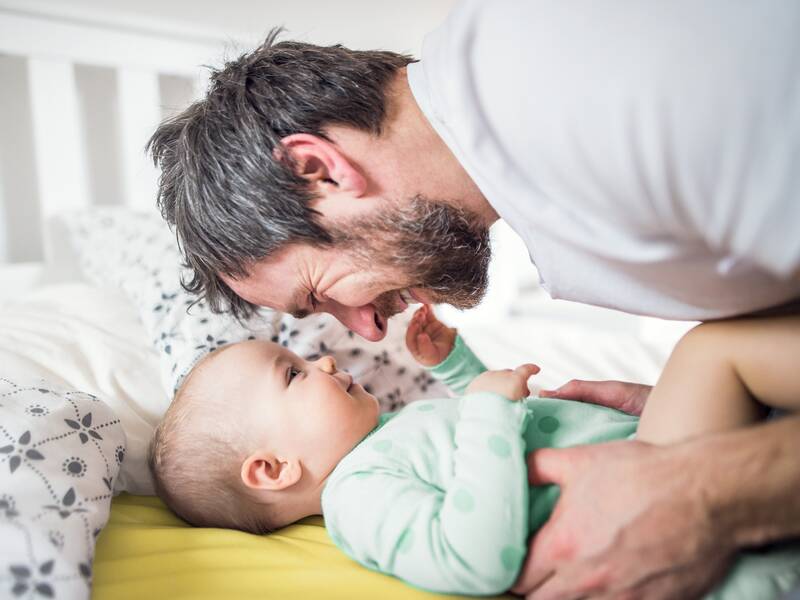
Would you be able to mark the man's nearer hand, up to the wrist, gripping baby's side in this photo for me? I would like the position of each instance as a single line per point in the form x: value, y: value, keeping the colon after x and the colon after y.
x: 631, y: 522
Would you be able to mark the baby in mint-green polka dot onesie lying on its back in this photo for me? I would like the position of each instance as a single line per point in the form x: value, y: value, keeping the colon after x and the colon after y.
x: 437, y: 493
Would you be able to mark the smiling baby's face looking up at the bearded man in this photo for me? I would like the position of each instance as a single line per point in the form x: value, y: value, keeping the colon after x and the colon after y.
x: 298, y: 409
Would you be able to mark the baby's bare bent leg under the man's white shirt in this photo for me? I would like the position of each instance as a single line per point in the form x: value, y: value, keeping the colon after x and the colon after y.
x: 724, y: 375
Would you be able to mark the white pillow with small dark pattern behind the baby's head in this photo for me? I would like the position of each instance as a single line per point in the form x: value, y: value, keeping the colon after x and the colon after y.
x: 136, y: 252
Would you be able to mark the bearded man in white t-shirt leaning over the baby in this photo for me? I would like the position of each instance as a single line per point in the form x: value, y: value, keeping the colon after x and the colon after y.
x: 649, y: 155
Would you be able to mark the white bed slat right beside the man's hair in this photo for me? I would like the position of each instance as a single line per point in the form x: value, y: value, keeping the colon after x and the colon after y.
x: 140, y: 114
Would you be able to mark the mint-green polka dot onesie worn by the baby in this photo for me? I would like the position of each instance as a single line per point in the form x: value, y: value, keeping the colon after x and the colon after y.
x: 438, y: 493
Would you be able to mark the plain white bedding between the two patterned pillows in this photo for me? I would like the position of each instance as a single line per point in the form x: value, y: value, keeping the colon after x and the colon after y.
x: 82, y: 337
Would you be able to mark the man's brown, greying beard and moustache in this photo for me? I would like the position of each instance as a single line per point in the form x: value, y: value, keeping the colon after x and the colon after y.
x: 433, y: 245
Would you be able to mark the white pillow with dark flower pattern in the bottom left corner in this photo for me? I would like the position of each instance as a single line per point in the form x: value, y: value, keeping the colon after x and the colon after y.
x: 60, y: 452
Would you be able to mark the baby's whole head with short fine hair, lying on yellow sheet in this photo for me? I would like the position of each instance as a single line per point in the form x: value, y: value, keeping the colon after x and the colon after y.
x: 252, y: 434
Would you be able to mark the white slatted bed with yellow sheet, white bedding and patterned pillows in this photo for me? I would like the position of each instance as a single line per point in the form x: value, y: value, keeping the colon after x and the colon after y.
x: 89, y: 304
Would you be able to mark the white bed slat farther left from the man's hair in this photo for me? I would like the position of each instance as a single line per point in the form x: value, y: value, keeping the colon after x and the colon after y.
x: 58, y: 141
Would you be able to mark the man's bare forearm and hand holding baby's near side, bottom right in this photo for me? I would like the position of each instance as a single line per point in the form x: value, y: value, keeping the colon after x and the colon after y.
x: 661, y: 522
